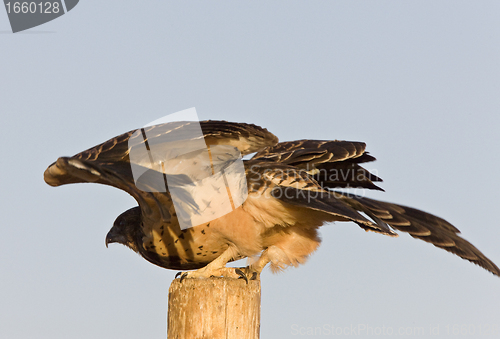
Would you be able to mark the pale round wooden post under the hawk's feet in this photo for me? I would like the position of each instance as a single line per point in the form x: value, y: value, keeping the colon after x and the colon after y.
x: 215, y: 308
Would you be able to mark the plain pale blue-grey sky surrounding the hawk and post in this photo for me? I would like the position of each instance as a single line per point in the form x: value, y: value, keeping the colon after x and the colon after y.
x: 419, y: 82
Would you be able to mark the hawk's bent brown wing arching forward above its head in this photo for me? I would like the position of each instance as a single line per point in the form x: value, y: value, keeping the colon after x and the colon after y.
x: 109, y: 163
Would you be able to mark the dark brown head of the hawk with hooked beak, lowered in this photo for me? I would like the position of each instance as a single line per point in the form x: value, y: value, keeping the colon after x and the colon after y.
x: 125, y: 228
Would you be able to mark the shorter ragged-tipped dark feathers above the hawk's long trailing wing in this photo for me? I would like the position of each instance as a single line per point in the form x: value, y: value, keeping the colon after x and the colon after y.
x: 333, y: 164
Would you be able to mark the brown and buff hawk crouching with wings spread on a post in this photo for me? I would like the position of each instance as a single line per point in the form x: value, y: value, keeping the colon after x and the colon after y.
x: 294, y: 187
